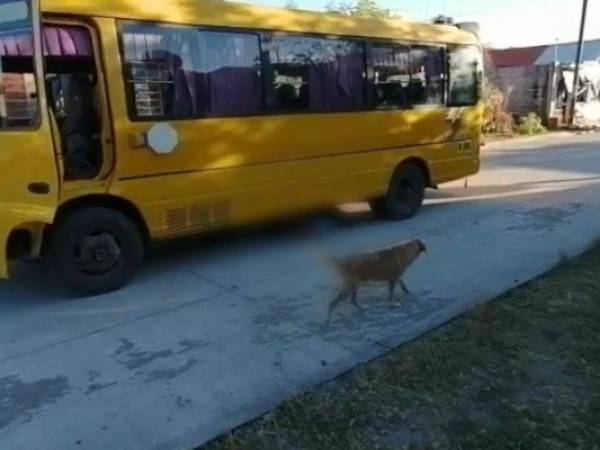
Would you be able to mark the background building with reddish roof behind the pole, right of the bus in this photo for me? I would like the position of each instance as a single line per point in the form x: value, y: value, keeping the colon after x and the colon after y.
x: 540, y: 79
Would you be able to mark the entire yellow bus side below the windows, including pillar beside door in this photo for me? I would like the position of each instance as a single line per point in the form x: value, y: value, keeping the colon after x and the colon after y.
x: 237, y: 170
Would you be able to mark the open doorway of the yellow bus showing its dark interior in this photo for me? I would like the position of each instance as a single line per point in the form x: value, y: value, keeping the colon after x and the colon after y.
x: 71, y: 84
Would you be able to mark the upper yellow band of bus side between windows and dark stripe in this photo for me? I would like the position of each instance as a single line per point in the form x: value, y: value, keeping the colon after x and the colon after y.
x: 211, y: 144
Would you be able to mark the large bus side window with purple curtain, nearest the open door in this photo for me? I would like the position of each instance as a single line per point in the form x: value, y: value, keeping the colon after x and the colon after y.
x: 183, y: 72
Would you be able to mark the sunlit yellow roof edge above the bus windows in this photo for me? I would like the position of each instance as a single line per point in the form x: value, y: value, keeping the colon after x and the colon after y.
x: 228, y: 14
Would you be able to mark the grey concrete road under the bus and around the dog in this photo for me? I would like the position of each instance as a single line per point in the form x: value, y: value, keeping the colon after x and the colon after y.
x: 219, y: 329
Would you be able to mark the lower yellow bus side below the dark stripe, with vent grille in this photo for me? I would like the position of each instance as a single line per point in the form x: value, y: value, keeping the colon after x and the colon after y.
x: 244, y: 195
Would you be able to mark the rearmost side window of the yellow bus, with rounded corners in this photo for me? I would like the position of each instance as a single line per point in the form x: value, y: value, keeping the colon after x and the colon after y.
x: 465, y: 75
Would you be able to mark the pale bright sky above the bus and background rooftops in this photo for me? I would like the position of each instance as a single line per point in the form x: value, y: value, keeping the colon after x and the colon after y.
x: 504, y: 23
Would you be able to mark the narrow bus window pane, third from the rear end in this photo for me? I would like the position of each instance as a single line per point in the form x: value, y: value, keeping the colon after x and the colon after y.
x: 391, y: 73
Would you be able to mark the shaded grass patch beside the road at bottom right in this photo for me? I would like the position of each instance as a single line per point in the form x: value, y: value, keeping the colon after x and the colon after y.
x: 522, y: 372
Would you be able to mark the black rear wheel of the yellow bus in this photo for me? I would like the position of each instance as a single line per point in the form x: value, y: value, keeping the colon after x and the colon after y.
x: 405, y: 194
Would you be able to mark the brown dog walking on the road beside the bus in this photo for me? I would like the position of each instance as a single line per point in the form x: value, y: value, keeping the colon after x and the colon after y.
x: 384, y: 265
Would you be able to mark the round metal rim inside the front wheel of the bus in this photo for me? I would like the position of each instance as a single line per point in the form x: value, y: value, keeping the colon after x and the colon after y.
x: 97, y: 253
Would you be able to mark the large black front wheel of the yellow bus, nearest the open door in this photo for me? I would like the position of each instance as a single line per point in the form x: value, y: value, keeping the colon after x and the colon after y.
x: 95, y: 250
